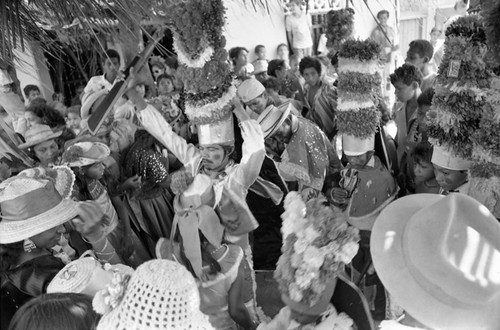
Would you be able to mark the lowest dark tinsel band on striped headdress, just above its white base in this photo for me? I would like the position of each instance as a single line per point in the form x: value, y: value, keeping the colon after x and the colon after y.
x: 362, y: 123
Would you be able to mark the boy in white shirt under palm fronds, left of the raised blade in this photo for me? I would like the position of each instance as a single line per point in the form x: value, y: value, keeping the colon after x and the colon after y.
x: 110, y: 67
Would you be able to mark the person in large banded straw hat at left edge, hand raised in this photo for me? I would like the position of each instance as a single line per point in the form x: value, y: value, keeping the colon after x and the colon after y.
x: 34, y: 206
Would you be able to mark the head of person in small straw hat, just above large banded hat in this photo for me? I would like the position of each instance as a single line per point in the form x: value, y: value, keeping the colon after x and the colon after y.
x: 42, y: 144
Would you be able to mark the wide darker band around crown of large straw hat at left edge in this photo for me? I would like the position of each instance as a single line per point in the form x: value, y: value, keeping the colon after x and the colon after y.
x: 31, y: 204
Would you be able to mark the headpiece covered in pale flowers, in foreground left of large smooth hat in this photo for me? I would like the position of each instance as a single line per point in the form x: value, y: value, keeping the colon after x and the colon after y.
x: 317, y: 244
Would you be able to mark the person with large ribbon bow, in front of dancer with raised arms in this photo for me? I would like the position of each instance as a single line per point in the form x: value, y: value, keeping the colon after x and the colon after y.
x: 197, y: 242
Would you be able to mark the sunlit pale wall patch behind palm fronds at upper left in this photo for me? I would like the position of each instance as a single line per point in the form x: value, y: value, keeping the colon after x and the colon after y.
x: 32, y: 70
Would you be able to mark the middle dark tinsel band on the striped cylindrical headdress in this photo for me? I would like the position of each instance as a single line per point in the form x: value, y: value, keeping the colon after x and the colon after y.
x: 355, y: 82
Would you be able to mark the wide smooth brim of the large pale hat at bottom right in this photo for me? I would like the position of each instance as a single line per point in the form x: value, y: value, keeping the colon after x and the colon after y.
x: 386, y: 247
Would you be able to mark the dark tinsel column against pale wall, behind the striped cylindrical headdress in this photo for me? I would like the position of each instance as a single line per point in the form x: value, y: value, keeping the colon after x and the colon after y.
x: 339, y: 26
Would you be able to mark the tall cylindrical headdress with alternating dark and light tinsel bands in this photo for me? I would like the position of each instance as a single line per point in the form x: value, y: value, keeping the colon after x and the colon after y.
x: 358, y: 85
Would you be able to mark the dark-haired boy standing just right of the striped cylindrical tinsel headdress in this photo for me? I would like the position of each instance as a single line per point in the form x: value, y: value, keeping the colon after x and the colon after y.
x: 406, y: 80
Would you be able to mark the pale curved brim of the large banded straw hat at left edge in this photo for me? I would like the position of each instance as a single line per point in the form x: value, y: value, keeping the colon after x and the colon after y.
x: 12, y: 231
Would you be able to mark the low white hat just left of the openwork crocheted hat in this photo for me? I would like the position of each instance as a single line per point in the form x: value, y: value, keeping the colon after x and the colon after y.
x: 85, y: 275
